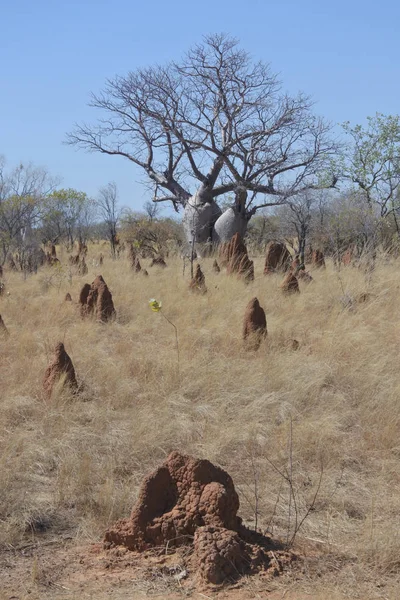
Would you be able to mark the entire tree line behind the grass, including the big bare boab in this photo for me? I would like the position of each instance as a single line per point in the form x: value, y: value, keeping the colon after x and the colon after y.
x: 219, y: 140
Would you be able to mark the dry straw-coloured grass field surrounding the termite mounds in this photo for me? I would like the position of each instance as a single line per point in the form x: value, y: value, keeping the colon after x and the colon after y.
x: 75, y: 465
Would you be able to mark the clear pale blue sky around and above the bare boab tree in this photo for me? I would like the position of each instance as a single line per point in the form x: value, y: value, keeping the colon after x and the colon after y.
x: 345, y: 54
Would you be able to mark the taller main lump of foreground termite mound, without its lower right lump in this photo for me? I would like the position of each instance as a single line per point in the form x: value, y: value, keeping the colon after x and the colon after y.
x: 183, y: 494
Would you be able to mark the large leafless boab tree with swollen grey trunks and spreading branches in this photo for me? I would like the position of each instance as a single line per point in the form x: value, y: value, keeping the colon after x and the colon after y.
x: 212, y: 124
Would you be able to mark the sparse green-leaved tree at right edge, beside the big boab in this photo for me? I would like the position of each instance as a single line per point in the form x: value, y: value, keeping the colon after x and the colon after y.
x: 372, y: 162
